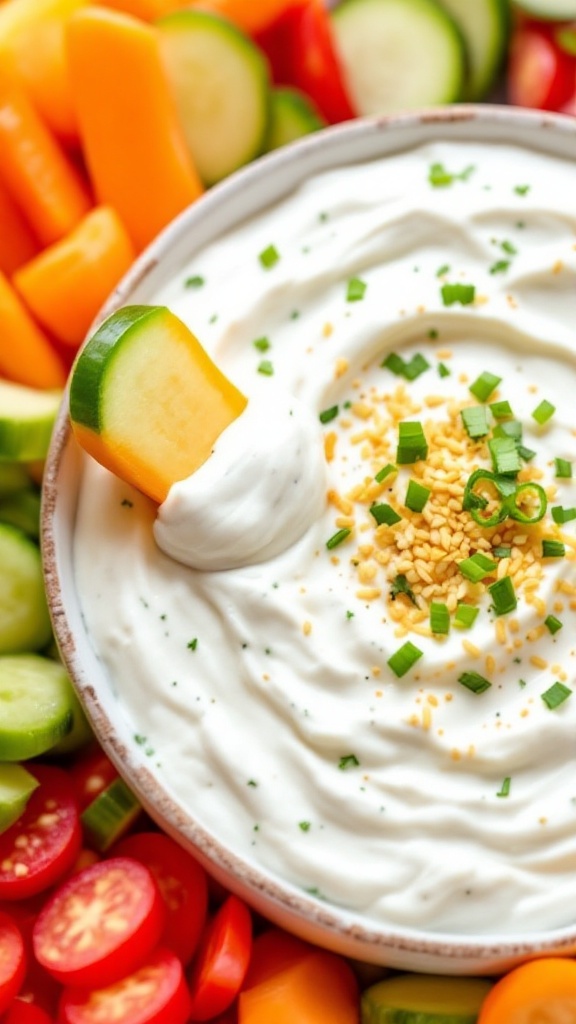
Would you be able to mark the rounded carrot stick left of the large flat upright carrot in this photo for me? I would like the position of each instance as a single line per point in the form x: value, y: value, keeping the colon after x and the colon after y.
x: 35, y: 170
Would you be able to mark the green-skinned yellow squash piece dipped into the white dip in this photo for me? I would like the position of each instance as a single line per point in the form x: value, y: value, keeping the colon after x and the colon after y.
x: 146, y: 400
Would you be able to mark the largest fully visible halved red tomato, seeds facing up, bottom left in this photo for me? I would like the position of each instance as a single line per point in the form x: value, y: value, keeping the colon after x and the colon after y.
x: 101, y: 924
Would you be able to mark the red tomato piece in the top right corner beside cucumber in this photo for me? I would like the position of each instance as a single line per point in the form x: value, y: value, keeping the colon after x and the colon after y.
x: 541, y: 73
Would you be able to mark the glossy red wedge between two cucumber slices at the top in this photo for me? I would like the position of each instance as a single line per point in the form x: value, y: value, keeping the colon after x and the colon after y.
x: 301, y: 49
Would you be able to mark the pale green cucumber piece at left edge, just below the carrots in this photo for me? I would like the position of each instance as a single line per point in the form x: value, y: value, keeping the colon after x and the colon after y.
x: 27, y: 418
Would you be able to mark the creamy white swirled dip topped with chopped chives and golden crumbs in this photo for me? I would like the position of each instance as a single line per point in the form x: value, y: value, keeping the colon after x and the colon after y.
x: 435, y: 791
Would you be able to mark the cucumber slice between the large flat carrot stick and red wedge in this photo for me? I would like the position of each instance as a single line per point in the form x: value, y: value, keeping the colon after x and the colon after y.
x: 221, y: 83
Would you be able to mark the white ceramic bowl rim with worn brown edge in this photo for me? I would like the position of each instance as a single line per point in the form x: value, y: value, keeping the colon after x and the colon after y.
x: 242, y: 195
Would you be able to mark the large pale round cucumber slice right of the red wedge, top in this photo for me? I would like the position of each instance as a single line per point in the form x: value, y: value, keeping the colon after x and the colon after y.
x: 399, y: 55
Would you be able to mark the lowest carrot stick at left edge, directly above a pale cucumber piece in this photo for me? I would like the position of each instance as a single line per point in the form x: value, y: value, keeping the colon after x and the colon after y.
x: 26, y: 354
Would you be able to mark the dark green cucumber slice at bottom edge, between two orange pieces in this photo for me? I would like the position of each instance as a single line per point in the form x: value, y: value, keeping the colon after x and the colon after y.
x: 419, y: 999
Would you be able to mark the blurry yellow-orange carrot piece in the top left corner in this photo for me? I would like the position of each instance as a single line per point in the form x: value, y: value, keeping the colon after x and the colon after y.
x: 32, y: 46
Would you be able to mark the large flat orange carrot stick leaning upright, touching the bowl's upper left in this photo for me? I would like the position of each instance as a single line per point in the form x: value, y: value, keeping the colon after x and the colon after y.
x: 133, y: 141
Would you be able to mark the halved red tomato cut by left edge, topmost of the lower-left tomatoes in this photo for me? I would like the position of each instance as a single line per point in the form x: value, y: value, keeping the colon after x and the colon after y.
x: 44, y: 844
